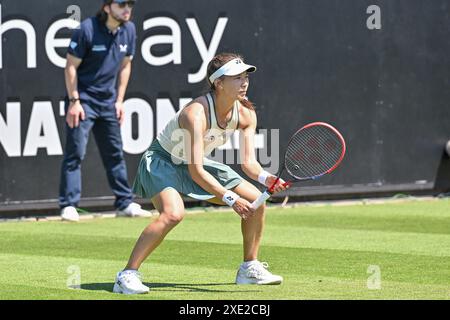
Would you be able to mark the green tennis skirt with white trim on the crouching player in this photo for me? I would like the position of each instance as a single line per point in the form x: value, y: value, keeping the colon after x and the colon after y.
x: 157, y: 172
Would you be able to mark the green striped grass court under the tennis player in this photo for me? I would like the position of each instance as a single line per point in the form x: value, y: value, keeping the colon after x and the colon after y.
x: 323, y: 252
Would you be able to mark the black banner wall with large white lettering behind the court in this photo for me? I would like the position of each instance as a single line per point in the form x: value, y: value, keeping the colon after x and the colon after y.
x: 376, y: 70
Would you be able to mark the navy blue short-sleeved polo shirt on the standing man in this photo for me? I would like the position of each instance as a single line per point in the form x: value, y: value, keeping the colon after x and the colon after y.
x: 102, y: 53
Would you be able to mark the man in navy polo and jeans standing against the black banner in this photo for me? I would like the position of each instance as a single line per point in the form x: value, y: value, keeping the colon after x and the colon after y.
x: 97, y: 73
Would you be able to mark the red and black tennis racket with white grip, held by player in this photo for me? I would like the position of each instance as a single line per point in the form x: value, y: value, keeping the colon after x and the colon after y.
x: 313, y: 151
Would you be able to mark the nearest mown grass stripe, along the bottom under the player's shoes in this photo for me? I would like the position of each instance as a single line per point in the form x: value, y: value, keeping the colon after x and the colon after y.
x: 177, y: 282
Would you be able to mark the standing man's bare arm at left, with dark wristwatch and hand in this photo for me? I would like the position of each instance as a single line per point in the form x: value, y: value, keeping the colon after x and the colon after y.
x: 75, y: 111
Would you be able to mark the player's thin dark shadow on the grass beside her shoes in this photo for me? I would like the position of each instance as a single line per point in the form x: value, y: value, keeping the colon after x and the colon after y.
x: 189, y: 287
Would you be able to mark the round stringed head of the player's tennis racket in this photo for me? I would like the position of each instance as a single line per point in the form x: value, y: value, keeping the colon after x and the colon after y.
x: 313, y: 151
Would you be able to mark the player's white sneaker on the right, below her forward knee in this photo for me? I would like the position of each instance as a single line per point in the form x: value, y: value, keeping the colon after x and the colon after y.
x: 256, y: 273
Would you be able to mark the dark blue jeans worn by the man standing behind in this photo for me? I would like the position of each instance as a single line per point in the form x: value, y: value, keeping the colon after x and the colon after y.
x: 106, y: 129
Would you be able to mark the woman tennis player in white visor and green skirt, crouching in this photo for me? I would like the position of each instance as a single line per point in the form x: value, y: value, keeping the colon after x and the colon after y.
x: 176, y: 164
